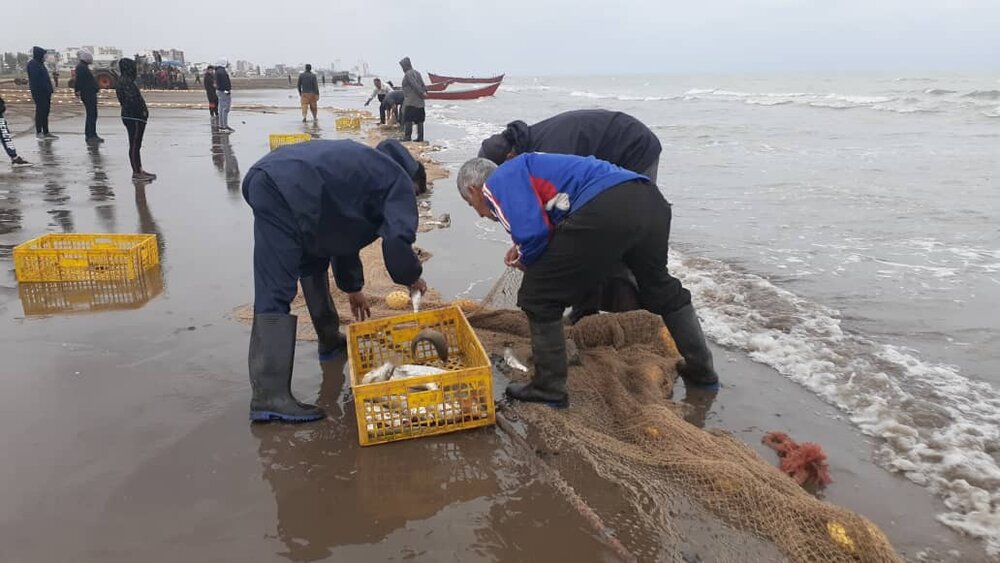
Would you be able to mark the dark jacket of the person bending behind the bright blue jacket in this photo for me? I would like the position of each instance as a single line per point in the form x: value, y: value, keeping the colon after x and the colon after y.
x: 613, y: 136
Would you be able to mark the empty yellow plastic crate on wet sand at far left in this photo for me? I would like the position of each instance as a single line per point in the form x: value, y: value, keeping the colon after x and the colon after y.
x: 85, y: 257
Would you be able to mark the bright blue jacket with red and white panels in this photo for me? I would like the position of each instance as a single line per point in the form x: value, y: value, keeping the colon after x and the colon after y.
x: 530, y: 195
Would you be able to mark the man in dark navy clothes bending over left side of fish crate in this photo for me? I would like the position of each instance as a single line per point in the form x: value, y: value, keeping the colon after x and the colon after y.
x: 316, y: 205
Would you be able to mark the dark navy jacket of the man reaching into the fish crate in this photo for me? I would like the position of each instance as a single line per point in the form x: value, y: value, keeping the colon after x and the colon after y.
x: 343, y: 195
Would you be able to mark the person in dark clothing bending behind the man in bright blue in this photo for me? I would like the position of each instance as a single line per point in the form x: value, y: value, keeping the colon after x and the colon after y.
x: 612, y: 136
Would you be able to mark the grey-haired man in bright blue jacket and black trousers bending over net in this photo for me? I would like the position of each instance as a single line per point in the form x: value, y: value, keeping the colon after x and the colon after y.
x: 571, y: 219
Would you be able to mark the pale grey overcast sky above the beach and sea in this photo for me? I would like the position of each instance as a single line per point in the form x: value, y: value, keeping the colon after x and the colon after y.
x: 535, y: 36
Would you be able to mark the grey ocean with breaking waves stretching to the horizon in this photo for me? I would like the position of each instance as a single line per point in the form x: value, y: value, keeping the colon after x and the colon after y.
x: 844, y: 230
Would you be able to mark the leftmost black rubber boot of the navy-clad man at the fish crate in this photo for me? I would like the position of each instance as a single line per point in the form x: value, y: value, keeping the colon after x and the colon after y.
x: 272, y: 353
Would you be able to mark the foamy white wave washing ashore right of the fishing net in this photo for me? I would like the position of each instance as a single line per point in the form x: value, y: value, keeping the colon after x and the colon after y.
x: 935, y: 425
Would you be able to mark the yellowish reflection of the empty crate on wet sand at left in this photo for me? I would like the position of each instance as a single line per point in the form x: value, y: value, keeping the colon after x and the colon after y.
x: 52, y: 298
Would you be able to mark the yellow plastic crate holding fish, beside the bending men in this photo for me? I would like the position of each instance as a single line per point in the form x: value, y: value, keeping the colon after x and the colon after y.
x: 399, y: 410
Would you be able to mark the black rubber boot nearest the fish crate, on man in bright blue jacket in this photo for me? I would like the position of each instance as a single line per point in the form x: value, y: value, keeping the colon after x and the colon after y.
x: 548, y: 385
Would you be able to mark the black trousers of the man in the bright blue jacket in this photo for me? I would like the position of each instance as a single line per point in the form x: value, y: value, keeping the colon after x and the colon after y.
x: 628, y: 223
